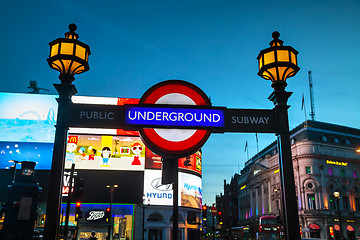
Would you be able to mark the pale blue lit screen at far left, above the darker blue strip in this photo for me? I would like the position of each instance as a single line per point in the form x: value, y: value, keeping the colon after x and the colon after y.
x: 27, y: 117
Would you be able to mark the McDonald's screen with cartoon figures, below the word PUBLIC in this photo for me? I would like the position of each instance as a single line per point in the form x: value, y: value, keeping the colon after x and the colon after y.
x: 98, y: 152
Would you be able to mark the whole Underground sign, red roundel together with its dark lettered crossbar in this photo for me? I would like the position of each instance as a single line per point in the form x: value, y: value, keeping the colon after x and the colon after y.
x: 174, y: 118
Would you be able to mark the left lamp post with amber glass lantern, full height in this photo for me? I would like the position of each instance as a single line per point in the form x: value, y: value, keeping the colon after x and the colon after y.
x: 69, y: 56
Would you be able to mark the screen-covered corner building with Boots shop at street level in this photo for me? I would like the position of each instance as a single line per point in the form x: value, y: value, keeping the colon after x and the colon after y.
x: 102, y: 157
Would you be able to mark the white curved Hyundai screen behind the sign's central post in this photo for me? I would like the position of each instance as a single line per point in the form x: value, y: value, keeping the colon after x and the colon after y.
x: 190, y: 190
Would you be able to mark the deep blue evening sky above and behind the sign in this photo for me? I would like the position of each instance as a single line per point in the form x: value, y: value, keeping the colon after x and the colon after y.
x: 213, y: 44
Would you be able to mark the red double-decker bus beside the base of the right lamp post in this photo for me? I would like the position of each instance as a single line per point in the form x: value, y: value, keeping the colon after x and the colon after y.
x: 269, y: 228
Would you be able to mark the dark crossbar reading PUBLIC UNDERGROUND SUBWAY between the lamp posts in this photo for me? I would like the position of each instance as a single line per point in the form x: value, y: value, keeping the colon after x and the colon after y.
x: 137, y: 116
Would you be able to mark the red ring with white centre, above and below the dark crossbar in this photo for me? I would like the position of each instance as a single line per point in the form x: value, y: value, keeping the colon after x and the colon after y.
x: 174, y: 142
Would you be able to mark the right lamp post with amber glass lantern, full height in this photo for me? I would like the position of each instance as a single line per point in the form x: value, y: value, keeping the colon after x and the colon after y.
x: 277, y: 63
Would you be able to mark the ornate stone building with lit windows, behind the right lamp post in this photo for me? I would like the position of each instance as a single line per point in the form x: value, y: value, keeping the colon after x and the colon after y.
x: 325, y: 161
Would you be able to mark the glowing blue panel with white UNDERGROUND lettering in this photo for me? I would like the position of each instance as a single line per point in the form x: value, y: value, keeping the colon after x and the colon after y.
x: 176, y: 117
